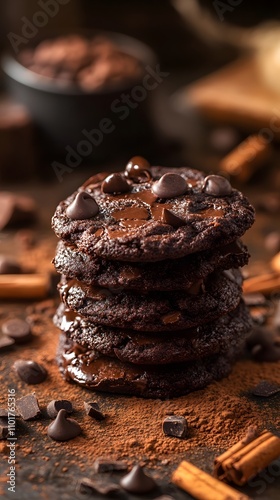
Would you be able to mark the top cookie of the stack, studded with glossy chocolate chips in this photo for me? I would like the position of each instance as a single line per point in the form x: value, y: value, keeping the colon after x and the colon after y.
x: 152, y: 213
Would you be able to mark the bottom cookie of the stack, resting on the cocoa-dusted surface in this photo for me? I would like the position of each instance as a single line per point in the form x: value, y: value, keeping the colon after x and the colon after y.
x: 102, y: 373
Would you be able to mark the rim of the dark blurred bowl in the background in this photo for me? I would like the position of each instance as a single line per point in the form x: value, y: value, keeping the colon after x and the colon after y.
x: 19, y: 73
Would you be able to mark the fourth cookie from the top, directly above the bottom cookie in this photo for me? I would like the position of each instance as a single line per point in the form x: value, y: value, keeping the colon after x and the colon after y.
x: 219, y: 336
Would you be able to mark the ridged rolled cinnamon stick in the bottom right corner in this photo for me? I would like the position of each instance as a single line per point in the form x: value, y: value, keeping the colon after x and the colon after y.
x: 244, y: 460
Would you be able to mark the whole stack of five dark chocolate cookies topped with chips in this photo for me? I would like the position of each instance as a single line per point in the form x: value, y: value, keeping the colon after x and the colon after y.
x: 151, y: 292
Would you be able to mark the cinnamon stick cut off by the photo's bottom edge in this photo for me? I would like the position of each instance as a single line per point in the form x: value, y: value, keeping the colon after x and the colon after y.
x: 202, y: 486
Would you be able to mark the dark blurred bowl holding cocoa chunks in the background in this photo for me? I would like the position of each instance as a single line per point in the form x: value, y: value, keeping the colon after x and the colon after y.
x: 65, y: 116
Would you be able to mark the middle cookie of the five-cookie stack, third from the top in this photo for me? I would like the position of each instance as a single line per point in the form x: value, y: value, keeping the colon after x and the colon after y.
x: 155, y: 311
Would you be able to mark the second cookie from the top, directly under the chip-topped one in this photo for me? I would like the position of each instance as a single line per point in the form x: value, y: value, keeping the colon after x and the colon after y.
x: 177, y: 274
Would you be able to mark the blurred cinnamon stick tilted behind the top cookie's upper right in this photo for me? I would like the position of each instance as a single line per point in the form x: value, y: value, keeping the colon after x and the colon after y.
x: 246, y: 158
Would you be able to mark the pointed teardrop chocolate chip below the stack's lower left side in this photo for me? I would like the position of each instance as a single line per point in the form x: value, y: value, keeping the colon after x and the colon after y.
x: 64, y: 428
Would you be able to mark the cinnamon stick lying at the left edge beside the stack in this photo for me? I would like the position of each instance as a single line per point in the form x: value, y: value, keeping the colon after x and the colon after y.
x: 24, y: 286
